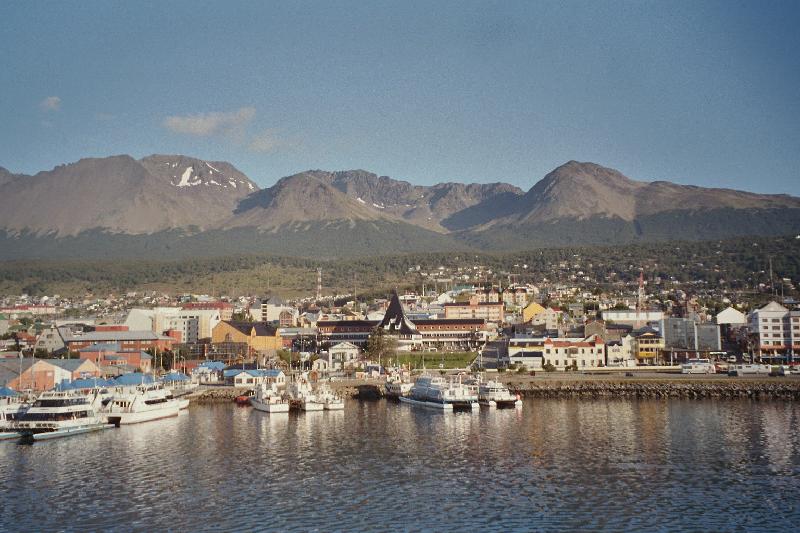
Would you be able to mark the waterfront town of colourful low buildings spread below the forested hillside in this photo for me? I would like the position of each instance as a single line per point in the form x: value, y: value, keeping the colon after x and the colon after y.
x: 492, y: 322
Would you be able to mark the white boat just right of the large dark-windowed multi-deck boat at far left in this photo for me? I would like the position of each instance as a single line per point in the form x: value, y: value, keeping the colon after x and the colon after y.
x: 140, y: 403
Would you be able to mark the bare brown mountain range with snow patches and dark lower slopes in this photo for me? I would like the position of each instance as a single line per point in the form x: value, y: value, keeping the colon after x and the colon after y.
x: 178, y: 206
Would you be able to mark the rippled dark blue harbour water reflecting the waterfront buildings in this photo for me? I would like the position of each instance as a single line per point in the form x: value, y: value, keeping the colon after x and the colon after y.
x: 560, y: 465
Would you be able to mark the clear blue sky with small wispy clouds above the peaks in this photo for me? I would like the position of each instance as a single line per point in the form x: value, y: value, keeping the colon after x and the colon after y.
x: 692, y: 92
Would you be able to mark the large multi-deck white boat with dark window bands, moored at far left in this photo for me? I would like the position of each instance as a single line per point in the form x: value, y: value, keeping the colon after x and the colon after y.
x: 62, y: 413
